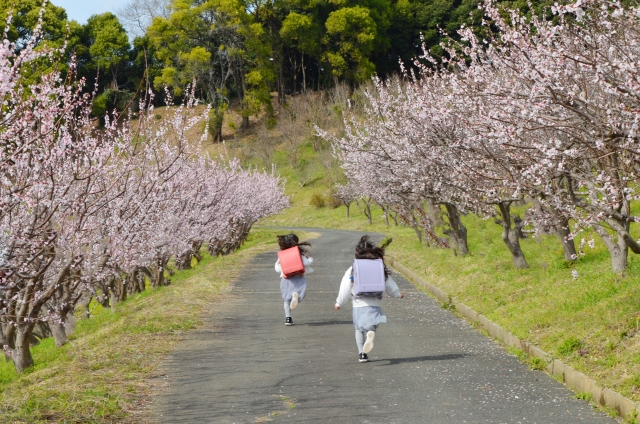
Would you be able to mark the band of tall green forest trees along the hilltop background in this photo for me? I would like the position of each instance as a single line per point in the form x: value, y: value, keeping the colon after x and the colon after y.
x: 239, y: 50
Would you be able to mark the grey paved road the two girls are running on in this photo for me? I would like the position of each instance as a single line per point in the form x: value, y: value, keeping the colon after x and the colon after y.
x: 428, y: 366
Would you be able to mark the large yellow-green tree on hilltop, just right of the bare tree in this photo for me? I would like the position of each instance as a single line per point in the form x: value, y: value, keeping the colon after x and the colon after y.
x: 217, y: 44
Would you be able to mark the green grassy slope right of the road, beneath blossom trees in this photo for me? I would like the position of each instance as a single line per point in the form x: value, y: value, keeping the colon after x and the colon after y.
x: 590, y: 322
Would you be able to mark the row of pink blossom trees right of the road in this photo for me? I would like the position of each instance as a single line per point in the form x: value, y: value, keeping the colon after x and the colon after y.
x: 543, y: 112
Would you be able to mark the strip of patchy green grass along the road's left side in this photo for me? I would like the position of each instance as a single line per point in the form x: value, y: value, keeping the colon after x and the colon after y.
x: 104, y: 373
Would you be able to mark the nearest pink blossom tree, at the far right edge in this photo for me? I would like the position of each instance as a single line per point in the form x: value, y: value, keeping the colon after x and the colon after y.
x: 571, y: 106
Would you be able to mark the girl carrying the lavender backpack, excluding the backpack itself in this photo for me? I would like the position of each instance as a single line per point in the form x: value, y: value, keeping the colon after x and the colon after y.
x: 367, y: 313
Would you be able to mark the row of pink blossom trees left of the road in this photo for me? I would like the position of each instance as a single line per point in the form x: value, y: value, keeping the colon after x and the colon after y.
x: 88, y: 213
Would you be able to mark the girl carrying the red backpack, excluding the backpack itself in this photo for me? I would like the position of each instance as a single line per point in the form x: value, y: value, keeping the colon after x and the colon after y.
x: 293, y: 289
